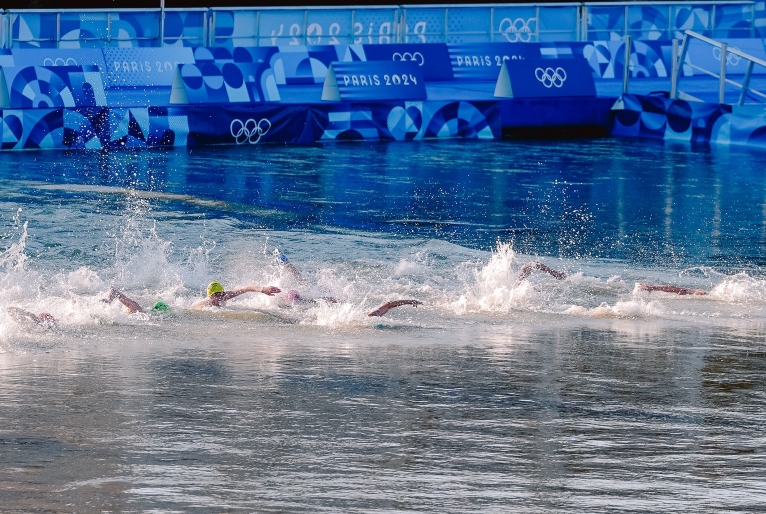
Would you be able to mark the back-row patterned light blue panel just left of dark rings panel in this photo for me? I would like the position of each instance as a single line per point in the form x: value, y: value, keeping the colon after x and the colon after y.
x: 304, y: 64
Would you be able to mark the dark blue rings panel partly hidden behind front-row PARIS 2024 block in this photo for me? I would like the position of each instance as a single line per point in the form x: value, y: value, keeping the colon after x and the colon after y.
x: 433, y: 59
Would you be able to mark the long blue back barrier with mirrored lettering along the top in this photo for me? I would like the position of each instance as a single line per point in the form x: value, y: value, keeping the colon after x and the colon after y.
x: 520, y: 23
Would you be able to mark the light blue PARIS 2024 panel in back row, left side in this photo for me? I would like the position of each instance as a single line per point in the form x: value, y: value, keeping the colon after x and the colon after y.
x: 144, y: 66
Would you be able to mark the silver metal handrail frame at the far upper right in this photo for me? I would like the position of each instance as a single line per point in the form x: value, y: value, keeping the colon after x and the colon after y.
x: 680, y: 60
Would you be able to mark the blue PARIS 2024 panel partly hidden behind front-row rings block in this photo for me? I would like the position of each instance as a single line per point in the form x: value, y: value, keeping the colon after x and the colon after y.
x: 482, y: 61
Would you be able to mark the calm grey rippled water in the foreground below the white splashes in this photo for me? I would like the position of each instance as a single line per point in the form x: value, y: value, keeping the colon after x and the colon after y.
x: 580, y: 419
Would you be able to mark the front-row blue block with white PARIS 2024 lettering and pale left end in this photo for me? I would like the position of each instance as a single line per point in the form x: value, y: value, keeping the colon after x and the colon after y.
x: 374, y: 80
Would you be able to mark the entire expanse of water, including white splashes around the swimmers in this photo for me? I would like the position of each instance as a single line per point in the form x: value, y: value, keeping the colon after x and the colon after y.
x: 585, y: 394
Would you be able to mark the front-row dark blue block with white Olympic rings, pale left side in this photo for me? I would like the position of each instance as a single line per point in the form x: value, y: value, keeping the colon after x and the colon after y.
x: 541, y: 78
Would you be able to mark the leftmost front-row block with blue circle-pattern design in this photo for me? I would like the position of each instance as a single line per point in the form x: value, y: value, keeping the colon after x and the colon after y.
x: 55, y: 86
